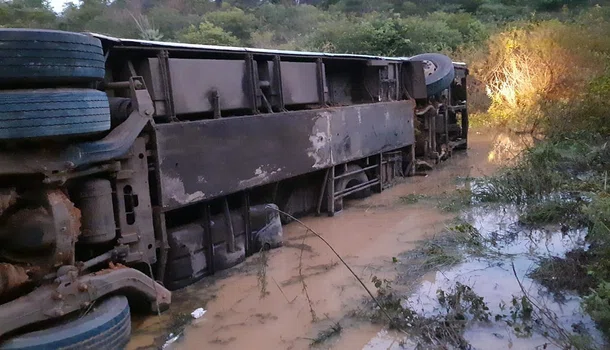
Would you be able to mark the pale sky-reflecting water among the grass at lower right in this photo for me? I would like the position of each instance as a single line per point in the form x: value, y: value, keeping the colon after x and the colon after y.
x: 514, y: 251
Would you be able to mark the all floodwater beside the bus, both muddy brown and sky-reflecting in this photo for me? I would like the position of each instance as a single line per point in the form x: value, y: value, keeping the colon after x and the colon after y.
x: 264, y: 304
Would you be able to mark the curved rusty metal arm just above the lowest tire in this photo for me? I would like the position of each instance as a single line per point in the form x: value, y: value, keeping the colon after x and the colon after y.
x: 70, y: 293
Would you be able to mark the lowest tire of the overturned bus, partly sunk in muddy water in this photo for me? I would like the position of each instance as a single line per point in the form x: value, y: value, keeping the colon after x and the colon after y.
x: 107, y: 326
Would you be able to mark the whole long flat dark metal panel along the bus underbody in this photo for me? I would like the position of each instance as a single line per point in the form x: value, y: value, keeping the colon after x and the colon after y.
x: 210, y: 158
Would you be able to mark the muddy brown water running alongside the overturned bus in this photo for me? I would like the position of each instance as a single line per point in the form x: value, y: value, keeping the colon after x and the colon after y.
x: 368, y: 234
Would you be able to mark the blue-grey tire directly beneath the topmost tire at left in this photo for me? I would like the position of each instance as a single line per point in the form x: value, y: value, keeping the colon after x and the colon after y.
x: 52, y: 112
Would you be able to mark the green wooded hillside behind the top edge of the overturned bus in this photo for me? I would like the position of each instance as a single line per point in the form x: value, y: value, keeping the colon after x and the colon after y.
x: 385, y: 27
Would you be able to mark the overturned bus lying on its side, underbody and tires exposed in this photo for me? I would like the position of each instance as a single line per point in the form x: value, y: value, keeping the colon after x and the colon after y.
x: 130, y: 168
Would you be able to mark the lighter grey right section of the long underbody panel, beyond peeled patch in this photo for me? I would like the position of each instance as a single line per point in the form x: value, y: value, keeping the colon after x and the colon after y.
x: 364, y: 130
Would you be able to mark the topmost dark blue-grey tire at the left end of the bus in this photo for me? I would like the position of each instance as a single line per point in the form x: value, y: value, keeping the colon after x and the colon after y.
x: 49, y: 56
